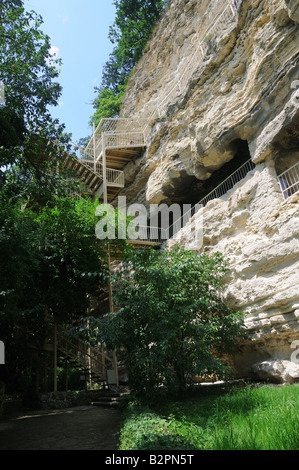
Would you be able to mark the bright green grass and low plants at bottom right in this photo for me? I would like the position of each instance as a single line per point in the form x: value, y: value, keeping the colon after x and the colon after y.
x: 251, y: 418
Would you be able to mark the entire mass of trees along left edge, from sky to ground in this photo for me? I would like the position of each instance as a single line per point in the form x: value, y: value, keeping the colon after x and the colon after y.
x: 48, y: 246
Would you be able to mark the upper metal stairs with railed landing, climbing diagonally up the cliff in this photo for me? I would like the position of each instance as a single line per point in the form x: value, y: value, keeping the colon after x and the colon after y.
x: 116, y: 141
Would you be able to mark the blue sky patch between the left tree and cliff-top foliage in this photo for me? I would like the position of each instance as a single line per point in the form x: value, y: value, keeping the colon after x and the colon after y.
x: 79, y: 35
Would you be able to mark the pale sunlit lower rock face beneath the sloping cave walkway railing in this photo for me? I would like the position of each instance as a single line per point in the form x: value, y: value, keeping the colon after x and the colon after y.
x: 258, y: 232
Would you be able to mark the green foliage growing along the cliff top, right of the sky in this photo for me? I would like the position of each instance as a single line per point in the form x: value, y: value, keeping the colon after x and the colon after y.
x: 133, y: 26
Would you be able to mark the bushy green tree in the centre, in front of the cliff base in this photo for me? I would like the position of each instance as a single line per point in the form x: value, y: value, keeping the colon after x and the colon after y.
x: 171, y: 323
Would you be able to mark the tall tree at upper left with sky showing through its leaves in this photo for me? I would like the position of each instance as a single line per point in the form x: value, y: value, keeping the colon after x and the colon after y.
x: 28, y: 72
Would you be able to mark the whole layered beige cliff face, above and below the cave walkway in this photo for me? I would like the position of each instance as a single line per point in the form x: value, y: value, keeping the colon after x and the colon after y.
x: 238, y: 100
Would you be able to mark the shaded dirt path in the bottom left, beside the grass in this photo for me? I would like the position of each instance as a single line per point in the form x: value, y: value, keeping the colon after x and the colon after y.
x: 80, y: 428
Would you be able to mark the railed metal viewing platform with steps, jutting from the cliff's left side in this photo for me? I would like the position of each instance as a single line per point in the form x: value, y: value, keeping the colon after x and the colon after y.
x: 100, y: 166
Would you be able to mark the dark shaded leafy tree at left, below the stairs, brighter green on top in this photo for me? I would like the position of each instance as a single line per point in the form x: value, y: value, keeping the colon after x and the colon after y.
x: 50, y: 265
